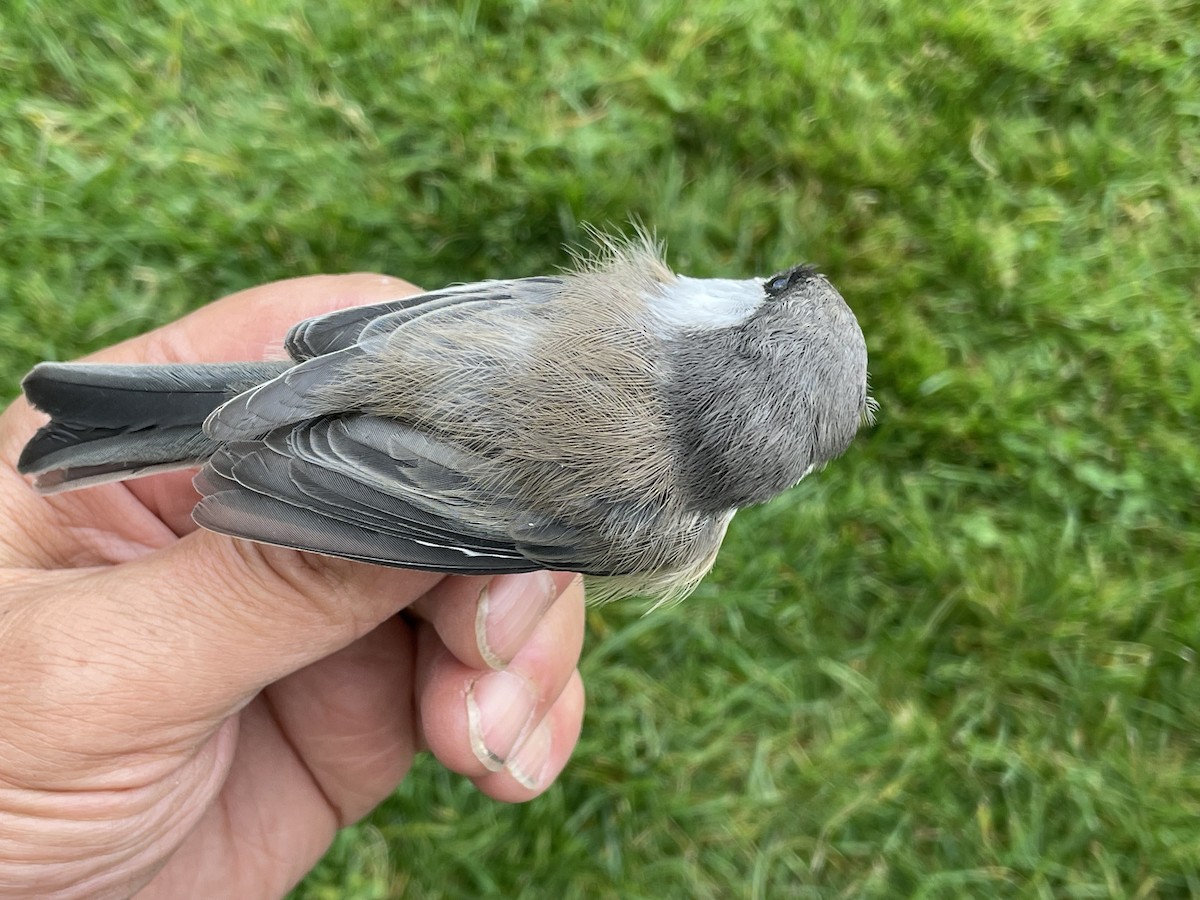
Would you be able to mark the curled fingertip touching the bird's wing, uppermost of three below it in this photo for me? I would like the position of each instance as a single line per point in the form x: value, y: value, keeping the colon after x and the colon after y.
x: 485, y: 621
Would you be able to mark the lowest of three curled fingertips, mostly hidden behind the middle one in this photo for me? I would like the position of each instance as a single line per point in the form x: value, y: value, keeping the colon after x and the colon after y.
x: 545, y: 754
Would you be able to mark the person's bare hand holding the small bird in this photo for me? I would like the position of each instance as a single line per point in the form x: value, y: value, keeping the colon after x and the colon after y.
x: 183, y: 715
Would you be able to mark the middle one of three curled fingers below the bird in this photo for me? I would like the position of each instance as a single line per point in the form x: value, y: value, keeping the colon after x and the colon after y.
x: 475, y: 722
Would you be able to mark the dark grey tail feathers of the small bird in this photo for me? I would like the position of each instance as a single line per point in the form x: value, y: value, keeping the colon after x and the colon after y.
x: 111, y: 423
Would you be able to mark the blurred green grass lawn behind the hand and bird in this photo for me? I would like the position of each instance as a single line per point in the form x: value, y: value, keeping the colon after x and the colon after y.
x: 962, y: 661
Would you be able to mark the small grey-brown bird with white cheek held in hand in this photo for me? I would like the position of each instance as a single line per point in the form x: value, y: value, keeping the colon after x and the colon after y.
x: 608, y: 421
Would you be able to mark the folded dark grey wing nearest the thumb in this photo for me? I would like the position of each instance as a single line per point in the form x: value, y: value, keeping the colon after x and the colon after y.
x: 365, y: 489
